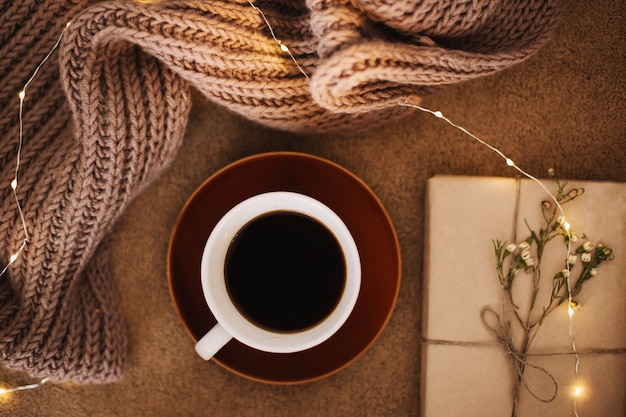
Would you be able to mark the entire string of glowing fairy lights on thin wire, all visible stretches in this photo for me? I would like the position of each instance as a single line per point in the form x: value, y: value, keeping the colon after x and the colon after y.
x: 283, y: 47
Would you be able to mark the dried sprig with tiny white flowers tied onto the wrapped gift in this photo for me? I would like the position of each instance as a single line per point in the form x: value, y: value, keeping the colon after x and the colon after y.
x: 527, y: 256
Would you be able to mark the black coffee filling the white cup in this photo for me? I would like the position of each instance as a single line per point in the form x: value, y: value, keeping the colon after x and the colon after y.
x: 285, y: 271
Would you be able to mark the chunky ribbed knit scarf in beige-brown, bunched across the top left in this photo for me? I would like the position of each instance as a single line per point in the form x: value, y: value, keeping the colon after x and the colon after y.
x: 109, y: 111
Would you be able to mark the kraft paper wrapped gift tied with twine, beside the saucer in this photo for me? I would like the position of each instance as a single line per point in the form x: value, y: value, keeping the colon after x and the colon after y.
x: 464, y: 373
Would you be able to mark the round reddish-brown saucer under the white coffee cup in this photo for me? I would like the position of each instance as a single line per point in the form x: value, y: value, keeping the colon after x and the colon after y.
x: 339, y: 189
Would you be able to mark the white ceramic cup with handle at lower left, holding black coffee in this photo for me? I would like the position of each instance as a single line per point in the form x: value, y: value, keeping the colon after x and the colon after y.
x: 231, y: 323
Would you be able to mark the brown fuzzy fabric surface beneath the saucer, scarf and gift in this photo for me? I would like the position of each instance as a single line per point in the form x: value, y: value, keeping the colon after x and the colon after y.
x: 564, y: 108
